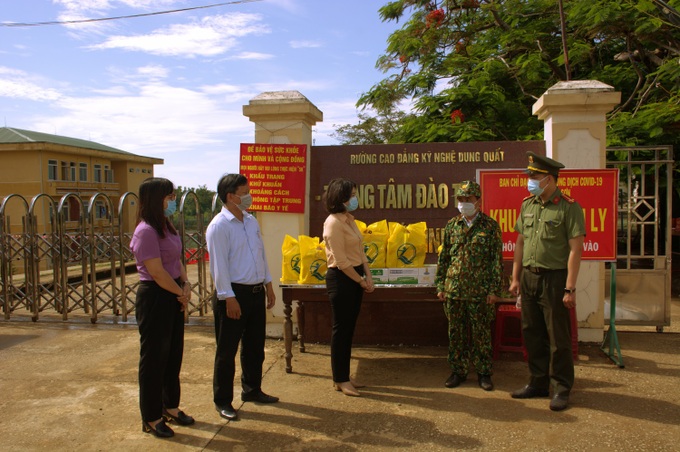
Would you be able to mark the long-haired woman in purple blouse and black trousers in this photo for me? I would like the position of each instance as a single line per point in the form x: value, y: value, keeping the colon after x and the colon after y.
x: 162, y: 297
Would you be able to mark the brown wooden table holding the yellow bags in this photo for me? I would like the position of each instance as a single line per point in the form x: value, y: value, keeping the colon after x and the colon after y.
x: 393, y: 293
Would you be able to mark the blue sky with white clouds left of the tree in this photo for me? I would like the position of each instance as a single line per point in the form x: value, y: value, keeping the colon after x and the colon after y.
x: 173, y: 85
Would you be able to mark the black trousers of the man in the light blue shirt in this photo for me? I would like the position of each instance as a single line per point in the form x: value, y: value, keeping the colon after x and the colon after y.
x: 249, y: 330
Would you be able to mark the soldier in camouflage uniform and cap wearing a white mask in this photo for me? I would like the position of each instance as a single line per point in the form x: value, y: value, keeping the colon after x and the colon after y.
x: 469, y: 282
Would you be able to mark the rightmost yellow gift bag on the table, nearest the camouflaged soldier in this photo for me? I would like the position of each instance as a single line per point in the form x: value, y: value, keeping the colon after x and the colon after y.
x: 407, y: 245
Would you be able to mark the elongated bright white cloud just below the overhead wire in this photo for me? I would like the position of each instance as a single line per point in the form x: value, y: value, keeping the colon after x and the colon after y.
x: 211, y: 36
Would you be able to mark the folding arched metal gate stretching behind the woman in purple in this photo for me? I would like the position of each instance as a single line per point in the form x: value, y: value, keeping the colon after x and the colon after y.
x: 64, y: 262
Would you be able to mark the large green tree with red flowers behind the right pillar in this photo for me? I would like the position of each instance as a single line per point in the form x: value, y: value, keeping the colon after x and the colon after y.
x: 473, y: 68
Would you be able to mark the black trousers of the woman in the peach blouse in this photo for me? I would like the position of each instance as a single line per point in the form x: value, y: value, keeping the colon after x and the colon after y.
x: 345, y: 296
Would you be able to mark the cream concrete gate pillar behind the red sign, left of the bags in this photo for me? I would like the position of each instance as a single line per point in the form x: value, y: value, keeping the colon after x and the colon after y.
x: 282, y: 117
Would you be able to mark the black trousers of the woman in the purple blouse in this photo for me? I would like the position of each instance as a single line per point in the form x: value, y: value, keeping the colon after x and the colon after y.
x: 161, y: 337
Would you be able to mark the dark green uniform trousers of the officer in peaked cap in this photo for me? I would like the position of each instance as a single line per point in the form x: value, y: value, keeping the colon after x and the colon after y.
x: 546, y: 328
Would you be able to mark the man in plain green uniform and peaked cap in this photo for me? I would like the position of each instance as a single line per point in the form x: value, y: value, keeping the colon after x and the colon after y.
x: 551, y: 230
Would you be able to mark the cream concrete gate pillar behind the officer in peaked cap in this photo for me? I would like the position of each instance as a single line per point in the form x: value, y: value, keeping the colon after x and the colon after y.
x: 574, y: 115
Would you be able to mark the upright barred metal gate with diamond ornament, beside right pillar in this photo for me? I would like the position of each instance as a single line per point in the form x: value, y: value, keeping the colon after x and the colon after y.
x: 644, y: 248
